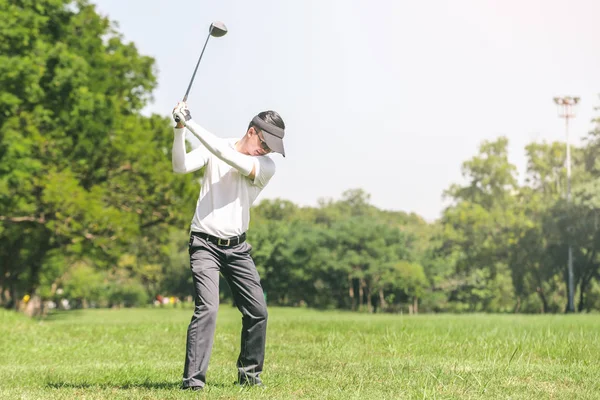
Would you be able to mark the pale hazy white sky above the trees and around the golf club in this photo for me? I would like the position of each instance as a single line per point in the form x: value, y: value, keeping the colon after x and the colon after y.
x: 386, y: 96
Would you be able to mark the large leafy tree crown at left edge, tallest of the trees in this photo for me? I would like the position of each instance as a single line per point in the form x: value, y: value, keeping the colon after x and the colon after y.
x: 82, y: 173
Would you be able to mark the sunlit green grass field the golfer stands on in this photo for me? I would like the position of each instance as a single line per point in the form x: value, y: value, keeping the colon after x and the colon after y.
x: 139, y: 354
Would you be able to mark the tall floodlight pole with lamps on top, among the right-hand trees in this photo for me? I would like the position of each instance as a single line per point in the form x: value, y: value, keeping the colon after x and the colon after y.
x: 566, y: 109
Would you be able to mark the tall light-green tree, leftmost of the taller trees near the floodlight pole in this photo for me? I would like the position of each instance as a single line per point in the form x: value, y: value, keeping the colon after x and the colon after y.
x: 479, y: 227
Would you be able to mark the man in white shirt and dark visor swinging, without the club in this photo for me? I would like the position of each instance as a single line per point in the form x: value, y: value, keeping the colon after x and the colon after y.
x: 236, y: 172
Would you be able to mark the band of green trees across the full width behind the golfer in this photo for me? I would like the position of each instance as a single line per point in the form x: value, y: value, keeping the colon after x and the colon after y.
x: 90, y: 212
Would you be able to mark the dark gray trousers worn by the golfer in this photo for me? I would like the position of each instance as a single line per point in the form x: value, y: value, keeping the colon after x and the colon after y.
x: 237, y: 267
